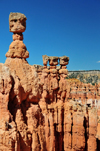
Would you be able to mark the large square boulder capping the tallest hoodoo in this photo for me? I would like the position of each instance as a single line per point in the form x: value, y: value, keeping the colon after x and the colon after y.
x: 17, y: 22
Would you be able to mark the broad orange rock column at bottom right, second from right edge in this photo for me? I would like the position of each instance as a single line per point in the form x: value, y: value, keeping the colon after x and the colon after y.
x: 78, y: 130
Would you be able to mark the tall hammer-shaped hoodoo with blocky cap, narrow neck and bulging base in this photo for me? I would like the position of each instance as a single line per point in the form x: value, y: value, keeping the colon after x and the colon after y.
x: 17, y: 25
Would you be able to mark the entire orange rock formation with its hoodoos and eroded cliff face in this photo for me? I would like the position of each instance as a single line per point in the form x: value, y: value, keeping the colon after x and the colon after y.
x: 40, y: 110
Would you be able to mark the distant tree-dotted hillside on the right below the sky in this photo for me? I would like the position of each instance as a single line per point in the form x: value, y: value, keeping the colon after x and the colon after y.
x: 86, y: 76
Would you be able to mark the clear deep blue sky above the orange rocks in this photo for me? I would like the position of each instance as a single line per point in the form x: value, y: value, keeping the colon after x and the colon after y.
x: 56, y: 28
